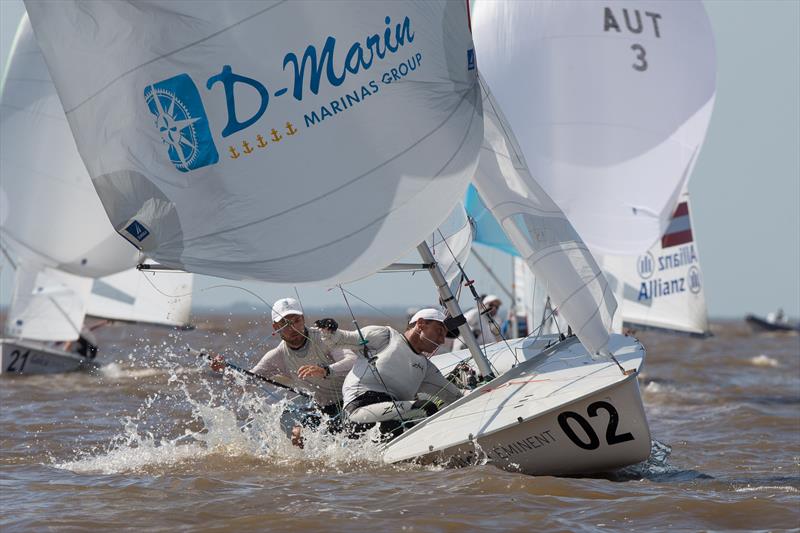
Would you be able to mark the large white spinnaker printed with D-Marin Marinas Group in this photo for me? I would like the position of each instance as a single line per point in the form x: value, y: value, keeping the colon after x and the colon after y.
x: 280, y: 141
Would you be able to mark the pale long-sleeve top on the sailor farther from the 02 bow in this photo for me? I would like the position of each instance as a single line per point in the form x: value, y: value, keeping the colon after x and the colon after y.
x: 320, y: 349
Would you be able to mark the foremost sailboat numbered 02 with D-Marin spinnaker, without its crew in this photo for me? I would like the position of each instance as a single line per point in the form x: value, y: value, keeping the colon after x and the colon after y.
x: 242, y: 146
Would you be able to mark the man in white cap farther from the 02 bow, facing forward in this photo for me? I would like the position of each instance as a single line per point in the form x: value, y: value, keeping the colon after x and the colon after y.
x: 309, y: 358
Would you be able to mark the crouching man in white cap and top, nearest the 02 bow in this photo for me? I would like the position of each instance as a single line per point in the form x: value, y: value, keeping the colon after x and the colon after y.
x: 384, y: 387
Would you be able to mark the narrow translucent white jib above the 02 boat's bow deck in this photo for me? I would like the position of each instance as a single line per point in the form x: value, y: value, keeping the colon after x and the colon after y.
x: 541, y: 233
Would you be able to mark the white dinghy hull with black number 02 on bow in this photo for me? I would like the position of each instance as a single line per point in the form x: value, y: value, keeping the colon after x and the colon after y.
x: 558, y: 412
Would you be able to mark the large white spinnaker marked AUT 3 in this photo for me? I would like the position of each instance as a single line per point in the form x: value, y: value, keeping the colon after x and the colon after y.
x: 611, y: 103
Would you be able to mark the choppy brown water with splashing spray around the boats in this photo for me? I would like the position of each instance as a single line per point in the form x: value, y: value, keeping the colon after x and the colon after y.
x: 95, y: 450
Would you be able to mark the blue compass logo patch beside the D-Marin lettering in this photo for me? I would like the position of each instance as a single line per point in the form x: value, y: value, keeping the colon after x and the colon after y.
x: 182, y: 122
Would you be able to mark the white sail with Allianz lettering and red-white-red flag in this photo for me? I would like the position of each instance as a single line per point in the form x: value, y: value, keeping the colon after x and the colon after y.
x: 662, y: 288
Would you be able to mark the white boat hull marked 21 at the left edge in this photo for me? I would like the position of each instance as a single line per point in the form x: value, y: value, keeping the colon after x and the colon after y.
x: 31, y: 357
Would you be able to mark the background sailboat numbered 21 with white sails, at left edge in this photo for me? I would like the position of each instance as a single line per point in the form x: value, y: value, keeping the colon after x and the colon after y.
x: 69, y: 263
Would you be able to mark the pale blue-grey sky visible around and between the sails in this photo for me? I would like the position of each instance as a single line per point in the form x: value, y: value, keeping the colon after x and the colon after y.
x: 745, y: 188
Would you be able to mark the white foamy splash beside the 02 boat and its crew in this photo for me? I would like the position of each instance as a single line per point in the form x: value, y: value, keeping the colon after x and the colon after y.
x: 223, y: 434
